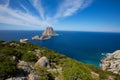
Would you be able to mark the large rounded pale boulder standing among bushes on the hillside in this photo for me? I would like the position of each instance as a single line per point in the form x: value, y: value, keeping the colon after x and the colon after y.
x: 43, y: 61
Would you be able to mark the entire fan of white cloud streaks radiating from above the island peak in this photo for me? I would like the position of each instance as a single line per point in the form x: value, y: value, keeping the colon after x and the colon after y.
x: 18, y: 17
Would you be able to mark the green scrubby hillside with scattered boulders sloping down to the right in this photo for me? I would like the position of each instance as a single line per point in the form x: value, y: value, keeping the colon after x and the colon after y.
x: 26, y: 61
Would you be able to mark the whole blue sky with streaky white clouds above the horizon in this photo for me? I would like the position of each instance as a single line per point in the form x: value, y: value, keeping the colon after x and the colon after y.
x: 68, y: 15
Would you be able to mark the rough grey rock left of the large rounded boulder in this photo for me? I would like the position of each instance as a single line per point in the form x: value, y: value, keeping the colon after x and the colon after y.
x: 25, y: 67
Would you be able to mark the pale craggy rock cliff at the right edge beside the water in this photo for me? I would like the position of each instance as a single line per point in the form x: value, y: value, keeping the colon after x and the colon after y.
x: 112, y: 62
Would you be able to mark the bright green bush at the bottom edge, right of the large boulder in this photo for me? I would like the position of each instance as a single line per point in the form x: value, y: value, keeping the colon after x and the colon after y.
x: 76, y: 71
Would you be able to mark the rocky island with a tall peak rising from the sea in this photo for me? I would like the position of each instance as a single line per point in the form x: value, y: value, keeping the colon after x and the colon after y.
x: 47, y: 34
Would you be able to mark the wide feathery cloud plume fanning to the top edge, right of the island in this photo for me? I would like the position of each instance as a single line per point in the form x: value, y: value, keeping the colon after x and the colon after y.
x: 69, y: 7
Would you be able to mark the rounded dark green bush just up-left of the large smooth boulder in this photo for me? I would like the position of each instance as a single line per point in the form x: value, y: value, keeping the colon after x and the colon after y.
x: 30, y: 57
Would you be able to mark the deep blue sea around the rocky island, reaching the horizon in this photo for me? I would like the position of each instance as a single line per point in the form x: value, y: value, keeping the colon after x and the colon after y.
x: 88, y: 47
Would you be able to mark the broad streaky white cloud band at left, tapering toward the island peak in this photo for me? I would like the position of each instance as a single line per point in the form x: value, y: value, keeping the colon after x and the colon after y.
x: 17, y: 17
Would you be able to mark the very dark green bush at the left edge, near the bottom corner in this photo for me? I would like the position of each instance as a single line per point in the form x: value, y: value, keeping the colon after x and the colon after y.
x: 7, y: 67
